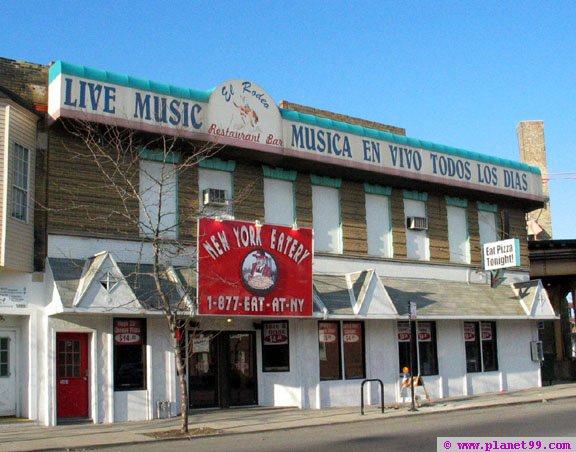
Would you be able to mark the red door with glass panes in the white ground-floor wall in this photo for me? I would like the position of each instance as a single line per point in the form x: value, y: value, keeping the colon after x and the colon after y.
x: 71, y: 375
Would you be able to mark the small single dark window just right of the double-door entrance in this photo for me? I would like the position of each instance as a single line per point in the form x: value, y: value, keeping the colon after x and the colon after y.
x: 275, y: 347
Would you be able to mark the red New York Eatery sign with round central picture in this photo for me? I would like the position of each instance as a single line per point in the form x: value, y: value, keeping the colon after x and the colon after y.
x: 248, y: 269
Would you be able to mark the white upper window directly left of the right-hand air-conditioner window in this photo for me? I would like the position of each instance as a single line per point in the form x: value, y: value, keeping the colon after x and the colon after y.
x: 378, y: 220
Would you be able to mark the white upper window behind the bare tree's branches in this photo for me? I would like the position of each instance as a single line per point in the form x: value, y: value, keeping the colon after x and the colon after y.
x: 158, y: 194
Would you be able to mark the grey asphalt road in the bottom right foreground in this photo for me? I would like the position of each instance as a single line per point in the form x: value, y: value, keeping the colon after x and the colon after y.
x: 400, y: 434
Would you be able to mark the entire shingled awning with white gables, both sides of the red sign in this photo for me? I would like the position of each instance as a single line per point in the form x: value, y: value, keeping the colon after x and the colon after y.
x: 100, y: 284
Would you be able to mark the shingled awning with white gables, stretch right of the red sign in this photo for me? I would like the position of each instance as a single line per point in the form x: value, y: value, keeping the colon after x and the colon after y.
x: 367, y: 295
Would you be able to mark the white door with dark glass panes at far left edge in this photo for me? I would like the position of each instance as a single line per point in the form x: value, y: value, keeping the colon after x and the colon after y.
x: 8, y: 381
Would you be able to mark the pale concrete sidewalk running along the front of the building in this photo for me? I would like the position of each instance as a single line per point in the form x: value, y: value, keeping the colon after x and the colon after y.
x: 18, y: 436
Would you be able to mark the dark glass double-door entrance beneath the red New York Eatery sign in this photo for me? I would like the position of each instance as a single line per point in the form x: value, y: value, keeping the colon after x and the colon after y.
x: 222, y: 369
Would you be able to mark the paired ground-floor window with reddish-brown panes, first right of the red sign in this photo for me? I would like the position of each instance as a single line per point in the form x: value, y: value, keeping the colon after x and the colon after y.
x: 341, y: 354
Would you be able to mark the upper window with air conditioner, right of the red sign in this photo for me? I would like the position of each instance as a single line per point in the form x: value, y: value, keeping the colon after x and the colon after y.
x: 417, y: 242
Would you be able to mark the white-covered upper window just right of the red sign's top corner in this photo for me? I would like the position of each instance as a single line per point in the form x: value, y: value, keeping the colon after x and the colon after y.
x: 326, y: 215
